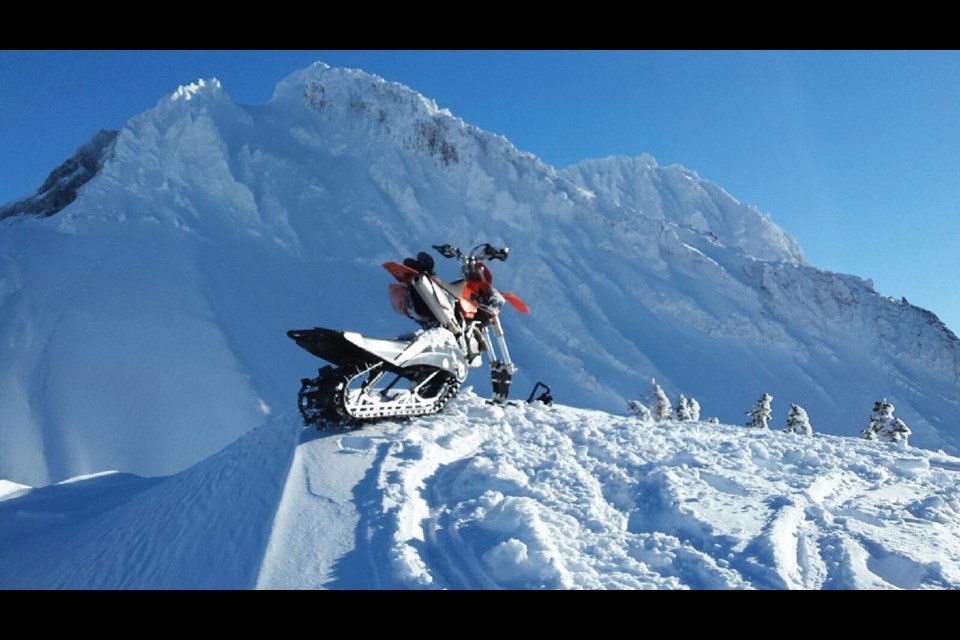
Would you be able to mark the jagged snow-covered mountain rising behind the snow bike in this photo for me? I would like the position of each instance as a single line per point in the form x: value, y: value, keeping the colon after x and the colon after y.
x: 142, y: 326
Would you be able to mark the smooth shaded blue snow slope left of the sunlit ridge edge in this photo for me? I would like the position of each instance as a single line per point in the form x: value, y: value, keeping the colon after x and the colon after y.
x: 204, y: 528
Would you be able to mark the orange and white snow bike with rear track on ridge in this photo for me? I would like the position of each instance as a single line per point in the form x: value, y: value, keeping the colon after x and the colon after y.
x: 415, y: 375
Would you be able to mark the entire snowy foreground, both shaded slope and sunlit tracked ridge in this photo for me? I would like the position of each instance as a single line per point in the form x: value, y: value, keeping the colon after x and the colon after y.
x: 494, y: 497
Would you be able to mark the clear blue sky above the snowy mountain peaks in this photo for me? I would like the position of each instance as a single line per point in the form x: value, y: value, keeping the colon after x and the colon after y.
x: 856, y: 154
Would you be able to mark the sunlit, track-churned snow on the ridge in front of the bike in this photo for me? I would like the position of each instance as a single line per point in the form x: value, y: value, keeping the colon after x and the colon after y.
x: 535, y: 497
